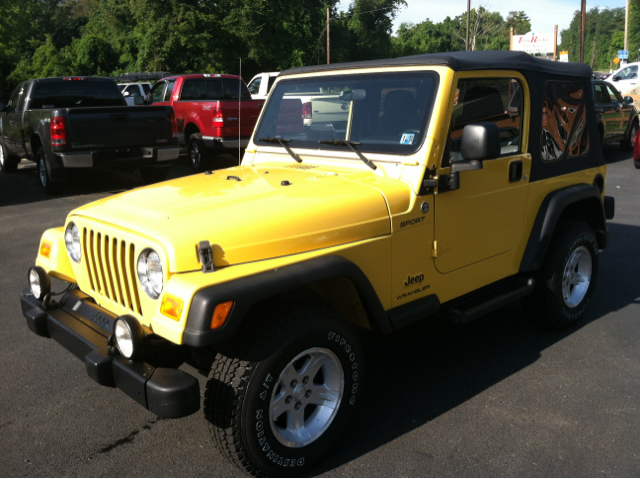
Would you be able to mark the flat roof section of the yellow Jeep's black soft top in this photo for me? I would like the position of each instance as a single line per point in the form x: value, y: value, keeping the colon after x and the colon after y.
x: 463, y: 61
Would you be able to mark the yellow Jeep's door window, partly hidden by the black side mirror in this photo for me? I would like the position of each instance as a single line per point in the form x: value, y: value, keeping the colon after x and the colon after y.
x: 496, y: 100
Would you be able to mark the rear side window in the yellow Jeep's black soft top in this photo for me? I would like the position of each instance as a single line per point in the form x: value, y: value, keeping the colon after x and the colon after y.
x: 564, y: 121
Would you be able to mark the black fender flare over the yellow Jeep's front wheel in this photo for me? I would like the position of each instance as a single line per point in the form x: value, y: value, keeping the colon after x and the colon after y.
x: 248, y: 291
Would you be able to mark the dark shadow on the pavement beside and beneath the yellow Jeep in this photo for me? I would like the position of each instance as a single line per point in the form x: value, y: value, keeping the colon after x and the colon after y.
x: 426, y: 370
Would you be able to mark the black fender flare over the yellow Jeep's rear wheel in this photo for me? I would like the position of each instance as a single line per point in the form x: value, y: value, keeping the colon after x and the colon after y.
x: 549, y: 213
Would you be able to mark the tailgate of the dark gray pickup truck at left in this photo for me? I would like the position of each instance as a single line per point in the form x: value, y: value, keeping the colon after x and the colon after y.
x: 118, y: 127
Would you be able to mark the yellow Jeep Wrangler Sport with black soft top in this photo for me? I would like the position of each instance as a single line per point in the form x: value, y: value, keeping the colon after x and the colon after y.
x: 449, y: 184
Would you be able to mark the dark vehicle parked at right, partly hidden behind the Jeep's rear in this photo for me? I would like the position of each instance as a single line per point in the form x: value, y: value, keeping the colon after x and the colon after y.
x: 616, y: 116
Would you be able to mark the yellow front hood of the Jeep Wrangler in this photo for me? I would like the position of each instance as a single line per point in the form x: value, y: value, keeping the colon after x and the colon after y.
x: 247, y: 213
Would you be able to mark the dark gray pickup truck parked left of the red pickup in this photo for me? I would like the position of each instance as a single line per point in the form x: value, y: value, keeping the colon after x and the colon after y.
x: 73, y: 123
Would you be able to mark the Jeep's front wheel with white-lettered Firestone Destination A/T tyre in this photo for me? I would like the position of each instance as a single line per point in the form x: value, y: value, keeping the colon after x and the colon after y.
x: 279, y: 401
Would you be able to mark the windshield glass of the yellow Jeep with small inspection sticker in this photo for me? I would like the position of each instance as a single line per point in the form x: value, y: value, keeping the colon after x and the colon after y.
x: 382, y: 112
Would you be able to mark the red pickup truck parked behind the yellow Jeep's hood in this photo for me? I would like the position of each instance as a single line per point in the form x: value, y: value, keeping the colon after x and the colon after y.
x: 215, y: 113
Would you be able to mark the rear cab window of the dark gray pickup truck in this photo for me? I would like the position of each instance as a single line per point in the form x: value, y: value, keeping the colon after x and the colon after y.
x: 79, y: 93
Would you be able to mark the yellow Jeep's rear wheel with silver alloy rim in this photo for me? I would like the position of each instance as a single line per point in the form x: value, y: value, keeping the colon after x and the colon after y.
x: 565, y: 283
